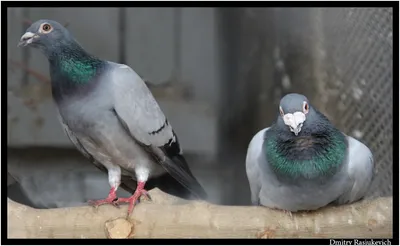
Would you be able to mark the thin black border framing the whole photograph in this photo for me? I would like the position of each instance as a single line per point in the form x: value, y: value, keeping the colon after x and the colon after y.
x: 5, y: 5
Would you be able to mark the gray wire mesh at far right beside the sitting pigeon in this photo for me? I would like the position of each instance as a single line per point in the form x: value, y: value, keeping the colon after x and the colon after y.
x: 359, y: 57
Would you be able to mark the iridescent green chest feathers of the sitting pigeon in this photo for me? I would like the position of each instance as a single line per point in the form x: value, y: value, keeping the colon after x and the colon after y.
x: 307, y: 157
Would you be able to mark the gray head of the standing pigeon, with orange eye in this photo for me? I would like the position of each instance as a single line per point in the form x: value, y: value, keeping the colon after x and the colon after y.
x: 44, y: 34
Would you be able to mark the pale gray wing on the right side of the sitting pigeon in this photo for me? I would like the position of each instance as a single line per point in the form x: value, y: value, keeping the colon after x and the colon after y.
x: 360, y: 169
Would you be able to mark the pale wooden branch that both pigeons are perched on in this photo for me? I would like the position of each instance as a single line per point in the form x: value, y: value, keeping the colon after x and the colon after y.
x: 166, y: 218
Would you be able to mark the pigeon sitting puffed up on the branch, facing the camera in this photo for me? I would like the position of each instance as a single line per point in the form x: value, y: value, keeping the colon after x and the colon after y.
x: 303, y: 163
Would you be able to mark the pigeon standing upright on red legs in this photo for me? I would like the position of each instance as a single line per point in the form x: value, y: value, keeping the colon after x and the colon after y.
x: 111, y: 117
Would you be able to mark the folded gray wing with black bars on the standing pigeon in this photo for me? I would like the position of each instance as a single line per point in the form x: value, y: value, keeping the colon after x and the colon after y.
x: 142, y: 118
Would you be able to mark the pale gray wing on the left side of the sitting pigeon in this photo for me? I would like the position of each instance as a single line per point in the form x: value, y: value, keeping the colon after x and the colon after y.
x: 253, y: 167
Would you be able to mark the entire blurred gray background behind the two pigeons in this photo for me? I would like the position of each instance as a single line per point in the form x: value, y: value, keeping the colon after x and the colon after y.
x: 218, y: 74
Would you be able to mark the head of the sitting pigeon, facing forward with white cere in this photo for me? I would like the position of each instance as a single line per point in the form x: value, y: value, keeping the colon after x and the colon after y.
x: 294, y: 110
